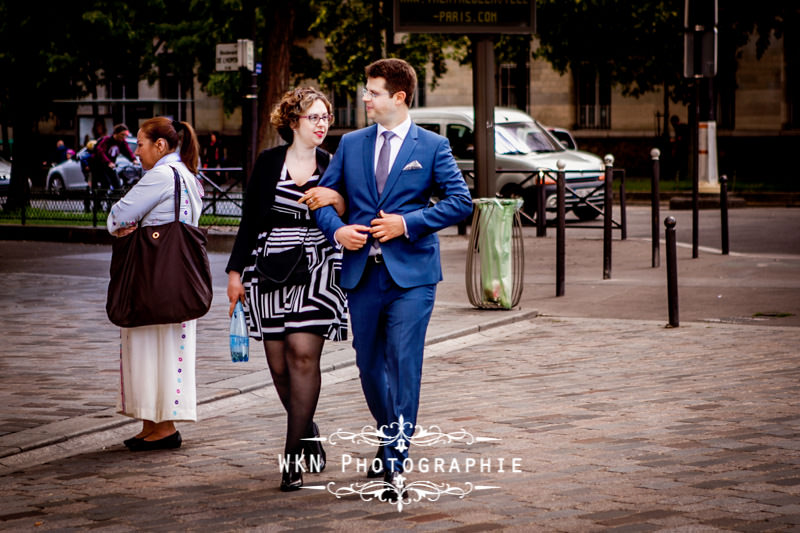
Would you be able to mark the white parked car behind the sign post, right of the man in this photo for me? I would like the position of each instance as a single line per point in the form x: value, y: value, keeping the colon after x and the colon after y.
x: 521, y: 144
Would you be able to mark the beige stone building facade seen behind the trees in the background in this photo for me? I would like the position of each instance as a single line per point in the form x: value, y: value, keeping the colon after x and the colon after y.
x: 757, y: 109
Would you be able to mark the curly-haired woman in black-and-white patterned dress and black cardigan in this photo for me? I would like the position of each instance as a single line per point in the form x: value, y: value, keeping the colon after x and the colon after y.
x: 287, y: 274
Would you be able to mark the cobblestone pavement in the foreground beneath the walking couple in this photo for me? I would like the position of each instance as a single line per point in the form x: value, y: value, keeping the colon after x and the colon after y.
x: 617, y: 425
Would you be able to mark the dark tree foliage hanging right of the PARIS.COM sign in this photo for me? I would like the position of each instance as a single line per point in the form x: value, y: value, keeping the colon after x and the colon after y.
x: 639, y: 45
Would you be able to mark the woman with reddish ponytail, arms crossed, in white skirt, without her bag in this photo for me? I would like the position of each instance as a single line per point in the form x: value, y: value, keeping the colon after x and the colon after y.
x: 157, y: 362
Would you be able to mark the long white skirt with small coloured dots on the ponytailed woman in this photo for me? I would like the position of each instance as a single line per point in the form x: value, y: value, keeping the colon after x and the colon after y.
x: 157, y: 372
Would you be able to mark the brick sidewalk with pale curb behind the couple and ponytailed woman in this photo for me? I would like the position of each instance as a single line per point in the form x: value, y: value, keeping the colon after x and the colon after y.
x: 61, y: 378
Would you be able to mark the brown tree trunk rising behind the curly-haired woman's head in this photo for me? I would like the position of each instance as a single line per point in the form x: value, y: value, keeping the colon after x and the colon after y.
x: 275, y: 68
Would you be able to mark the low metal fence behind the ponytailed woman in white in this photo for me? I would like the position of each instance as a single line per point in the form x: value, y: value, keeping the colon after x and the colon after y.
x: 222, y: 203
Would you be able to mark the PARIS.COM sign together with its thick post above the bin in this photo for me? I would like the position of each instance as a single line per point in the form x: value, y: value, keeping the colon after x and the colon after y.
x: 481, y: 21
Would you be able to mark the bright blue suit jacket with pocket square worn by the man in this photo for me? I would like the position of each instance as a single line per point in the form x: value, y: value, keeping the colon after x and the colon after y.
x: 424, y: 168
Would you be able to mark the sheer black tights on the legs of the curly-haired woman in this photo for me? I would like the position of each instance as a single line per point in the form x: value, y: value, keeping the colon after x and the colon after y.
x: 294, y: 365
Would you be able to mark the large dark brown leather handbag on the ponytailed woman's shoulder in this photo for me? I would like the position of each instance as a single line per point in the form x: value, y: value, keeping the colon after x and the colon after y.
x: 160, y: 274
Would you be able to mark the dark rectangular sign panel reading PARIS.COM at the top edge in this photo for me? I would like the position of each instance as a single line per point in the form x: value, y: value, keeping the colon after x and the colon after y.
x: 437, y: 16
